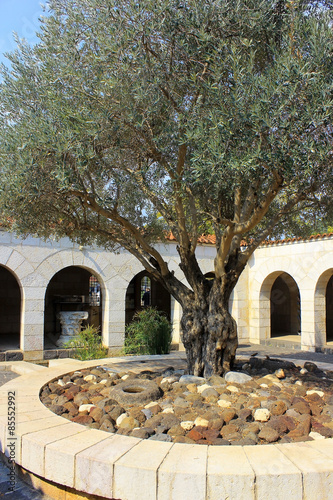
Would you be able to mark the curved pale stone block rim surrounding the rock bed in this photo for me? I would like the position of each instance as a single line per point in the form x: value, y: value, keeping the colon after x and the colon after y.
x: 114, y: 466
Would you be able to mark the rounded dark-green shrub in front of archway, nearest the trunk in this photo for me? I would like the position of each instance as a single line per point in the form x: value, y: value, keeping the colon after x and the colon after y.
x: 149, y: 333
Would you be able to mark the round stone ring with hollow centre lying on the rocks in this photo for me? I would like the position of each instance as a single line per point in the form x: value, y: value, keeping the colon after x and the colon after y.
x: 135, y: 392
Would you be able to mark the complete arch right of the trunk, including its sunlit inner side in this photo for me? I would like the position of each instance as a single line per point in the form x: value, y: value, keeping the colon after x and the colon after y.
x: 279, y: 306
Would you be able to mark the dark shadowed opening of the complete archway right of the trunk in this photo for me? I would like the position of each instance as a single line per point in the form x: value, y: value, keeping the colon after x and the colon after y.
x: 285, y: 307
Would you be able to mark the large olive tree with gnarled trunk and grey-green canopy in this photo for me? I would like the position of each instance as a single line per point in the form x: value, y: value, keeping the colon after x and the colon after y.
x: 134, y: 120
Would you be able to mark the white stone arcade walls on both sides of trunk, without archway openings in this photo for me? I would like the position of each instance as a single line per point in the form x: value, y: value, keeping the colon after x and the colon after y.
x: 34, y: 263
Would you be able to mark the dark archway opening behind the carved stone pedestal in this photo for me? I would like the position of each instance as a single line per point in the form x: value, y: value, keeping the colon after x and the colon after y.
x: 71, y: 289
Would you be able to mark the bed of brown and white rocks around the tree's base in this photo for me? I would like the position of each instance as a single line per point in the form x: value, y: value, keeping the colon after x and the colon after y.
x: 272, y: 402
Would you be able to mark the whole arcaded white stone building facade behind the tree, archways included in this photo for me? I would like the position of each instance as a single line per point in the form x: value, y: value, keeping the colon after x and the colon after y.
x: 286, y: 291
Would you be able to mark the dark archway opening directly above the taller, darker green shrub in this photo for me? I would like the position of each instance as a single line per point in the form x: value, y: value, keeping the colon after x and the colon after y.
x: 143, y: 291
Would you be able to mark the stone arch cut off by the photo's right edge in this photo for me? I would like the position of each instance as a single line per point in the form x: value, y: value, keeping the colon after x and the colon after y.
x: 323, y: 305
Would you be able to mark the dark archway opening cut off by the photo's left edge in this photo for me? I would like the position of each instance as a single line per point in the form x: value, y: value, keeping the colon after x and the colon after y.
x: 10, y: 310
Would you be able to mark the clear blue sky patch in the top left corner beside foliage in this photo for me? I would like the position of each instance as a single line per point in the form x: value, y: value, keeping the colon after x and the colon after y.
x: 20, y: 16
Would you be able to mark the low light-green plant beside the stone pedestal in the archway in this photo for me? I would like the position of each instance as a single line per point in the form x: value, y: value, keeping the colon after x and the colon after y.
x: 87, y: 345
